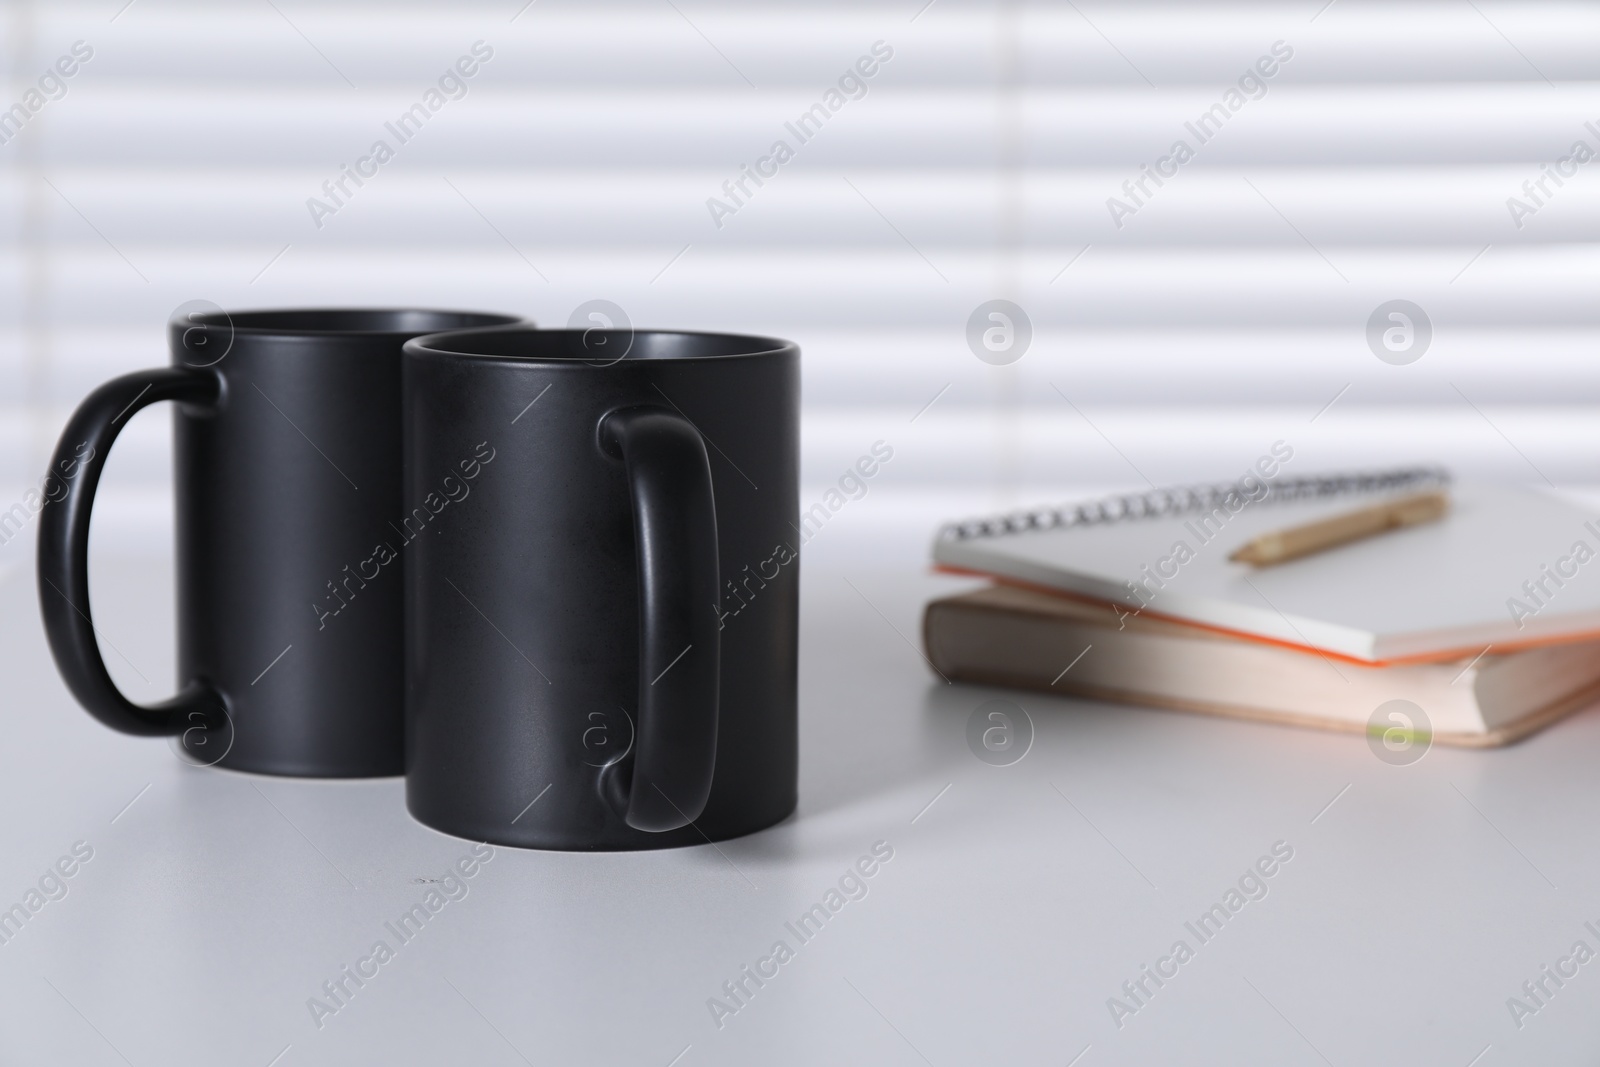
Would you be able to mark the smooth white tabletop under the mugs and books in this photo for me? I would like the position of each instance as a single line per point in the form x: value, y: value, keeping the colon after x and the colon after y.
x: 1018, y: 900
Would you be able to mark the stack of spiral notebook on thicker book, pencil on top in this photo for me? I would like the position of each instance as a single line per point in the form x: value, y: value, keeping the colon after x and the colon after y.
x: 1486, y: 615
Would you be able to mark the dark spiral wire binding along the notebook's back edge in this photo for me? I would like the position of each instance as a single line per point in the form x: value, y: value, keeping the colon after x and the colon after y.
x: 1191, y: 500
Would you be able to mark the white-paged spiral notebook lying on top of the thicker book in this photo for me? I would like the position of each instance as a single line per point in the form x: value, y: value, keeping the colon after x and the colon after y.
x: 1506, y: 569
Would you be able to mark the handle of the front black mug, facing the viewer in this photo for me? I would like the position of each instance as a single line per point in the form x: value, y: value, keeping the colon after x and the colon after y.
x: 665, y: 781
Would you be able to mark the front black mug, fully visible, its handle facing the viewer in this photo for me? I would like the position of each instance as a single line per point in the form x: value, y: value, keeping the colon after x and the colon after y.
x: 602, y: 591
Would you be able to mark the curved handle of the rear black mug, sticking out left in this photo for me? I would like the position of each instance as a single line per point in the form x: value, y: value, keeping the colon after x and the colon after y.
x: 65, y: 554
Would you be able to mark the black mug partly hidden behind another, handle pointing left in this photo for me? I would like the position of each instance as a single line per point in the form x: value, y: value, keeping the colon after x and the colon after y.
x: 287, y: 481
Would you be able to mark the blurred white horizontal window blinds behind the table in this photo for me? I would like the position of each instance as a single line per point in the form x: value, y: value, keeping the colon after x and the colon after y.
x: 1174, y: 340
